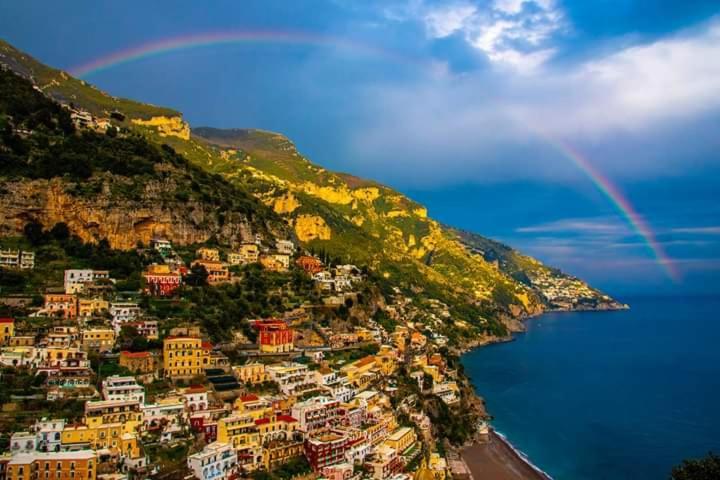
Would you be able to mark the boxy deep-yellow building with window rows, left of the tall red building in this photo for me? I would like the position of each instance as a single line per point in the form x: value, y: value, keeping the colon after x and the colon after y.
x: 185, y: 357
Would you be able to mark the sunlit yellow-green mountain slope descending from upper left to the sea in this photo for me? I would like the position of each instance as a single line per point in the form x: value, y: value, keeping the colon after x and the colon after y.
x: 485, y: 286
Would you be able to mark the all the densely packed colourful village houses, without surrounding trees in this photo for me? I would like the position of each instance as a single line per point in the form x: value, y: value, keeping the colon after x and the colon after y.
x: 290, y: 396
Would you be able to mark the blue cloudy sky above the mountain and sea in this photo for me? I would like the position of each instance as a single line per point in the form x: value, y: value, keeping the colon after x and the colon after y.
x: 583, y: 132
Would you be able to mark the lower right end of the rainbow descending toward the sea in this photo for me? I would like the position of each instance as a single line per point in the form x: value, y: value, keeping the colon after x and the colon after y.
x: 622, y: 204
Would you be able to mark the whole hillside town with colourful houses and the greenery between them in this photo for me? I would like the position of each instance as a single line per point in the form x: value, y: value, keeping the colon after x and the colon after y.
x: 254, y: 360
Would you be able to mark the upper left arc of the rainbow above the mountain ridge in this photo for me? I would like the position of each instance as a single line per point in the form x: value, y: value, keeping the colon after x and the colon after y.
x: 199, y: 40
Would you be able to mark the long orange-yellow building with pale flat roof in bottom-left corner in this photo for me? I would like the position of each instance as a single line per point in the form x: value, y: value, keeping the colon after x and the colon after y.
x: 79, y: 465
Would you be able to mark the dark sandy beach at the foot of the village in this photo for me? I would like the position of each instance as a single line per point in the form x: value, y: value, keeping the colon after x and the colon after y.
x: 496, y: 460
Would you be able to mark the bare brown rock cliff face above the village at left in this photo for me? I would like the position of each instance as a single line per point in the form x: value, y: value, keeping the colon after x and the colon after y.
x: 122, y: 222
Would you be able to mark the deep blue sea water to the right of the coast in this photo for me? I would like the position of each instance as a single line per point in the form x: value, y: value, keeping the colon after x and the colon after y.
x: 608, y: 395
